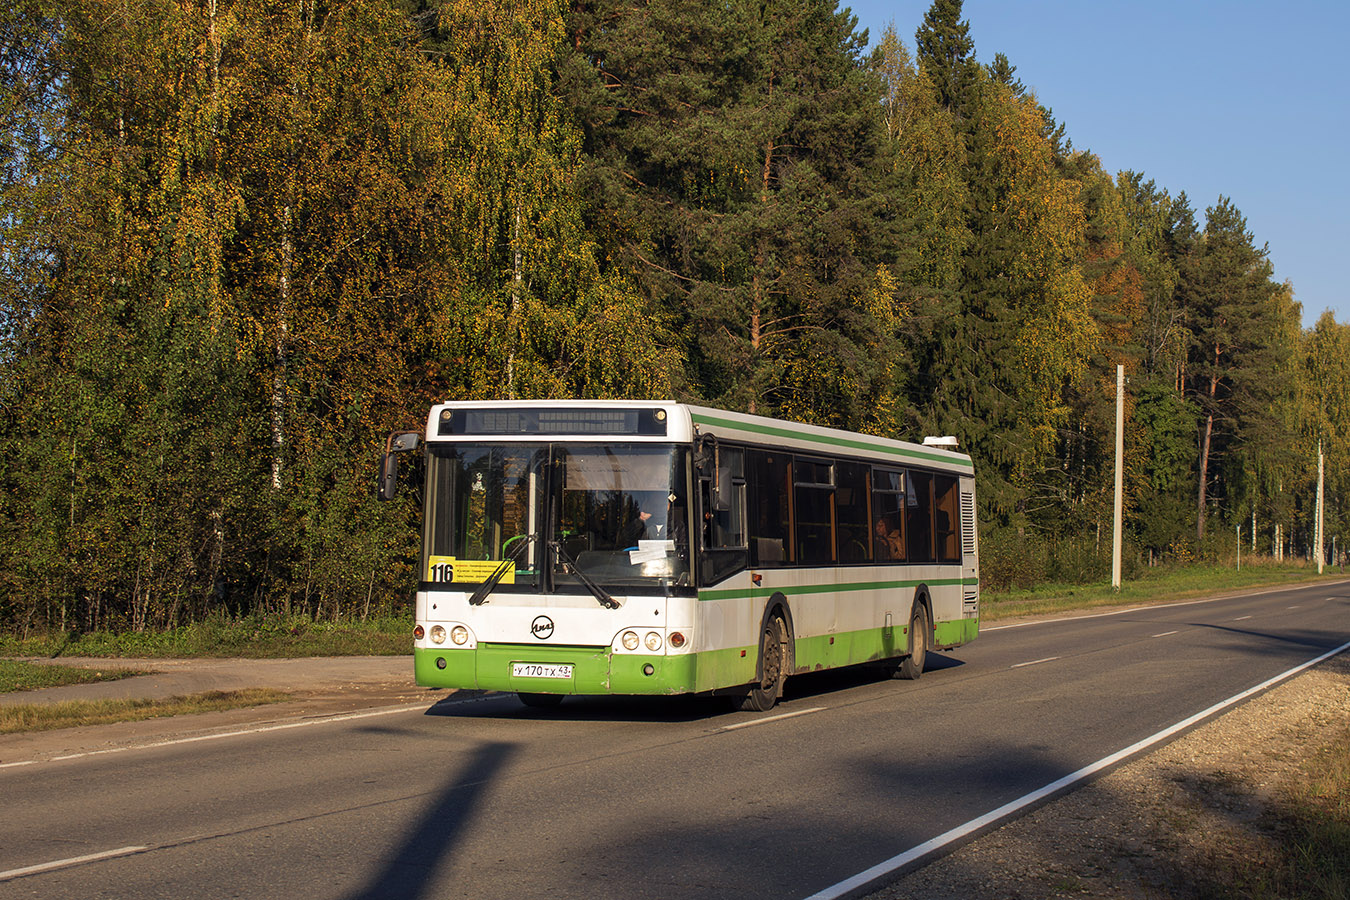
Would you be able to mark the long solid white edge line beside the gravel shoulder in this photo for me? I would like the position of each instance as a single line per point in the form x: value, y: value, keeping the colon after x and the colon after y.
x: 866, y: 880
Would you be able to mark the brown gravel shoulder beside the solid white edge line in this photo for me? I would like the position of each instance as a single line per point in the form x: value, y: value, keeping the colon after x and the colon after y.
x: 1181, y: 824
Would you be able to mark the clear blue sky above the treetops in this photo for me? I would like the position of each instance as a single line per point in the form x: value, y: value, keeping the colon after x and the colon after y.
x: 1248, y: 101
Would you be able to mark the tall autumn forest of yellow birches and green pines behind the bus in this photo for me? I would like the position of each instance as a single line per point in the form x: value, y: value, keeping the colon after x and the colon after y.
x: 245, y: 241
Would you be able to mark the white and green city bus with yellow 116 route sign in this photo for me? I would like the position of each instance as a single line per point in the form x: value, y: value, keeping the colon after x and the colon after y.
x: 661, y: 549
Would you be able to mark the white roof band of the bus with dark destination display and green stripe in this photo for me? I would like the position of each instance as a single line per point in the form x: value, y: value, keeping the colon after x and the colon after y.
x: 666, y: 422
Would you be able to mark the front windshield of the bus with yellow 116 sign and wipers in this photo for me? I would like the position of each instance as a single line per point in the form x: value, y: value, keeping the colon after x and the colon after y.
x: 566, y: 515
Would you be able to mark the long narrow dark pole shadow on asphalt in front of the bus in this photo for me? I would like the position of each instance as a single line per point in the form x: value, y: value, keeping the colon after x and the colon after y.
x: 431, y: 843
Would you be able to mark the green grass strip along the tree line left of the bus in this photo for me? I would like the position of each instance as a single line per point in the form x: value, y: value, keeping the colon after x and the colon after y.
x: 250, y: 638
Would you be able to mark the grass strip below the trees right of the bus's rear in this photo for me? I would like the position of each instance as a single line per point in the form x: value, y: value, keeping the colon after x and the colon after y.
x: 1158, y: 586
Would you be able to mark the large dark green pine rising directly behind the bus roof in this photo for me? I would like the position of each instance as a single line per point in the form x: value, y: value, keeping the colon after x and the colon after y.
x: 735, y: 179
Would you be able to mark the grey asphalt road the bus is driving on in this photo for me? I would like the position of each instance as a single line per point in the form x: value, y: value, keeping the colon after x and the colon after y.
x: 608, y: 798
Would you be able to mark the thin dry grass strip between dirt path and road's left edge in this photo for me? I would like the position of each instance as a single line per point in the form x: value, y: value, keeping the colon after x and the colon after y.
x: 47, y: 717
